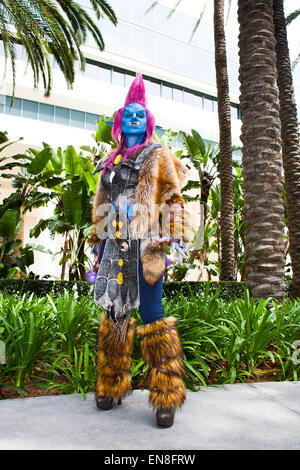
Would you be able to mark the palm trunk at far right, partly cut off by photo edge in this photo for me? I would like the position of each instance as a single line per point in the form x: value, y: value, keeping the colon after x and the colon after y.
x: 290, y: 142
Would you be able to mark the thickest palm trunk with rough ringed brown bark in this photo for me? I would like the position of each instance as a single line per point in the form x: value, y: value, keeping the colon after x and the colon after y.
x: 261, y: 140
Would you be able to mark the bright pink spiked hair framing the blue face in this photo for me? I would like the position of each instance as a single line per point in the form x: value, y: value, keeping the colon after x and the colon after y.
x: 136, y: 94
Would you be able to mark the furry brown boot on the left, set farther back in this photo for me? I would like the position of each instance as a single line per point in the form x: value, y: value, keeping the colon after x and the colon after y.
x: 113, y: 363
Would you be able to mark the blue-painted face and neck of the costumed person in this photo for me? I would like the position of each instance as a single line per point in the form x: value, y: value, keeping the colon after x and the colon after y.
x: 134, y: 124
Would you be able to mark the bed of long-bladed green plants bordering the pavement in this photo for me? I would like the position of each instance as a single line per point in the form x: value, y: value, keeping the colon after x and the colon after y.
x: 51, y: 342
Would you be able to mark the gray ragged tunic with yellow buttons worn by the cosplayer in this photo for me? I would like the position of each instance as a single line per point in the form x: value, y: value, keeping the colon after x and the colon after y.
x: 117, y: 284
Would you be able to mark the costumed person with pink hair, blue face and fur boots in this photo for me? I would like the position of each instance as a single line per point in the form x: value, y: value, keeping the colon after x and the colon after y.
x: 137, y: 211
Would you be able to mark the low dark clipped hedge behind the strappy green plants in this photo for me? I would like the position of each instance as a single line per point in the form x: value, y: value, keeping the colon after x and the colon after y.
x: 228, y: 289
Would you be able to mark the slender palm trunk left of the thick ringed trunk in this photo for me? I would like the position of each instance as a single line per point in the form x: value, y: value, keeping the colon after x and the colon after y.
x: 226, y: 178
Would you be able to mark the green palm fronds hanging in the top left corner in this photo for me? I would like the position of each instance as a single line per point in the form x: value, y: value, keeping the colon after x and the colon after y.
x: 43, y: 27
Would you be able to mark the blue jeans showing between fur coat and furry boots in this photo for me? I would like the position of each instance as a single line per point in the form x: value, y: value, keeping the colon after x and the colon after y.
x: 150, y: 296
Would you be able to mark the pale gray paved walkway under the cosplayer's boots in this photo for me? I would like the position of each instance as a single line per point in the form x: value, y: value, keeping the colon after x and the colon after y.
x: 241, y: 416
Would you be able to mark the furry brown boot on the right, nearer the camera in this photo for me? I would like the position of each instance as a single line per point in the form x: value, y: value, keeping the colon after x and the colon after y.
x: 162, y: 351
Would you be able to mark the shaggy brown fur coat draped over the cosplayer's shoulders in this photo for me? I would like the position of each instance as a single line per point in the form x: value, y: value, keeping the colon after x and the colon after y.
x: 161, y: 178
